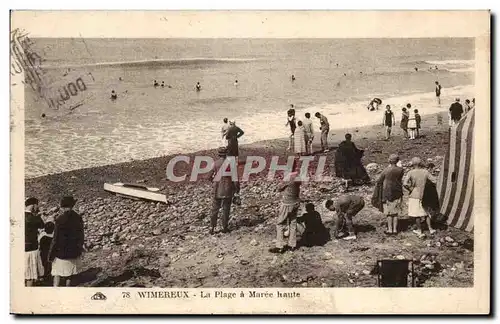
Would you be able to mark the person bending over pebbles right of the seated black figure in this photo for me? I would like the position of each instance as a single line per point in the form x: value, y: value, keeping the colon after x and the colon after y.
x: 346, y: 207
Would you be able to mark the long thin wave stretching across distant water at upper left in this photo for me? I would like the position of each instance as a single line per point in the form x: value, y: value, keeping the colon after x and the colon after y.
x: 154, y: 62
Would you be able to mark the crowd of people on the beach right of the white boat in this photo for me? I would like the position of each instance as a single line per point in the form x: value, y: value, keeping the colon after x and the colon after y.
x: 388, y: 192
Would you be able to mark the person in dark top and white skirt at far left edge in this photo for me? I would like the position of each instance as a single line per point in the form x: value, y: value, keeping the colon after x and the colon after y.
x: 33, y: 268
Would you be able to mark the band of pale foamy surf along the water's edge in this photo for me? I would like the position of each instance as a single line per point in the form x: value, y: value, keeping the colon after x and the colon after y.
x: 126, y: 143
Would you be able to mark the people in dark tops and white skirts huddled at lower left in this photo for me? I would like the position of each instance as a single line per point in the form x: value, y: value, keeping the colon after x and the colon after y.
x: 52, y: 249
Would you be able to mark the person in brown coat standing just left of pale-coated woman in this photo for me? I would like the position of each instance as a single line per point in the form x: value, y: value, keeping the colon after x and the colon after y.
x: 391, y: 182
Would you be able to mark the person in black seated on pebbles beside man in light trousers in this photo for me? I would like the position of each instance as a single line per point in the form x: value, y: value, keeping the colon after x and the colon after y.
x: 315, y: 232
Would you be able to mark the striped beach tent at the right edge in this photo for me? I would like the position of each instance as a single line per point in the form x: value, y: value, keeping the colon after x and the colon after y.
x: 456, y: 179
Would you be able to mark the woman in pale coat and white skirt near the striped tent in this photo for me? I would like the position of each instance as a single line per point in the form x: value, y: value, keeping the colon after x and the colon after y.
x: 415, y: 182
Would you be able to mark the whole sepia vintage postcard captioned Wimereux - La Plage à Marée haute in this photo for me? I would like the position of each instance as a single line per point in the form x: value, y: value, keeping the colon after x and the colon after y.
x: 250, y: 162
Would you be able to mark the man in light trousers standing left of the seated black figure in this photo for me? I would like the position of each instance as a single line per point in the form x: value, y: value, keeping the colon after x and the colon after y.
x: 287, y: 215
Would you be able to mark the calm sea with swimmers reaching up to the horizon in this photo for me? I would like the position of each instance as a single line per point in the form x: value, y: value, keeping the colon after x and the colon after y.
x: 337, y: 77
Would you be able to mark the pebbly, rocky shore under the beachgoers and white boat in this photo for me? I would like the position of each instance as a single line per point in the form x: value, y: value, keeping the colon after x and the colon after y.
x: 145, y: 244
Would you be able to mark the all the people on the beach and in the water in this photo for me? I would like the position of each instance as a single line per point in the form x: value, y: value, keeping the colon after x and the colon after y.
x: 53, y: 249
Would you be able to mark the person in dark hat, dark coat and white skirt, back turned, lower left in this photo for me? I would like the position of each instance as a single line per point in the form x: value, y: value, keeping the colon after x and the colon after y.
x: 67, y: 244
